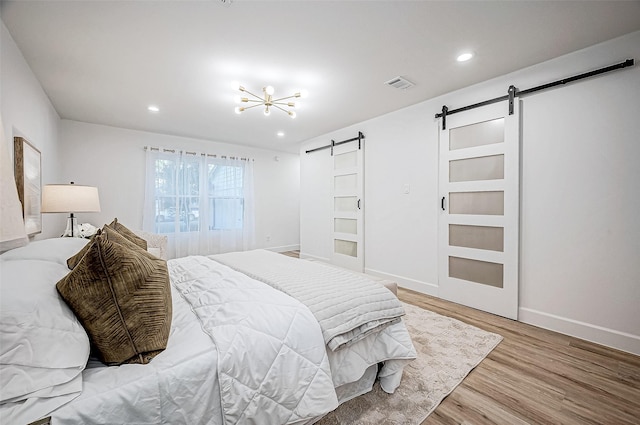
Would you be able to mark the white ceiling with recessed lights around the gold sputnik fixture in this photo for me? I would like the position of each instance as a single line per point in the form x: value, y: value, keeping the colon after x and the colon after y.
x: 105, y: 62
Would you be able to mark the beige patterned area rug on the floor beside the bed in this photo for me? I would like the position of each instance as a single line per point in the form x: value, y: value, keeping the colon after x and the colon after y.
x: 447, y: 351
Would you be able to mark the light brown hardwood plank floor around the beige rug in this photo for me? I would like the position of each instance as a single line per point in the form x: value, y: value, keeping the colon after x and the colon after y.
x: 536, y: 376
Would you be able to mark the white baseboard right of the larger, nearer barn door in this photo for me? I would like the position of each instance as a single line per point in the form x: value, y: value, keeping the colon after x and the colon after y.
x: 600, y: 335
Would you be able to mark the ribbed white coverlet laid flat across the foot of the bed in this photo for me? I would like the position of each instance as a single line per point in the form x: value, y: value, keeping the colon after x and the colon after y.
x: 348, y: 306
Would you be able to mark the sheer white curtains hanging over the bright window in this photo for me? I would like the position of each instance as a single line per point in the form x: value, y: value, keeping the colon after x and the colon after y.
x: 203, y: 203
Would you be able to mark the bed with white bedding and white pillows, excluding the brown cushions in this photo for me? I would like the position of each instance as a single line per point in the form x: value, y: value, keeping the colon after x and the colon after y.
x: 240, y: 349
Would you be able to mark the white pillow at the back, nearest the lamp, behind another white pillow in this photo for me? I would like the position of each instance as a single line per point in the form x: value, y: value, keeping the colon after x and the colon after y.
x: 56, y: 250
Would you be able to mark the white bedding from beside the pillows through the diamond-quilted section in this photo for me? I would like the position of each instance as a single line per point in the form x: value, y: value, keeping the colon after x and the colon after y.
x: 261, y: 361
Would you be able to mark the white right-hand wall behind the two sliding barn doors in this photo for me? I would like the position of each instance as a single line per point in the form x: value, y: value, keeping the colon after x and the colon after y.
x: 580, y: 181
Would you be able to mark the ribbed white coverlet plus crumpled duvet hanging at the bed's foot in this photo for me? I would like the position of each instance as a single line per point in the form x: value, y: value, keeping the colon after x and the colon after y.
x: 360, y: 319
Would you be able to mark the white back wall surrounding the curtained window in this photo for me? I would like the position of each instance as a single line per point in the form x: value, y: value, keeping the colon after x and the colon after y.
x: 113, y: 160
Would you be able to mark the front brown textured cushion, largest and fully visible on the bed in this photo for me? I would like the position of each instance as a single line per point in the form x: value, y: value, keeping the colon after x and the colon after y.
x: 122, y: 297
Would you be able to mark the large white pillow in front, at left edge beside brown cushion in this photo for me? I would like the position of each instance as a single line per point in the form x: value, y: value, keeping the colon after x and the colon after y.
x: 42, y: 343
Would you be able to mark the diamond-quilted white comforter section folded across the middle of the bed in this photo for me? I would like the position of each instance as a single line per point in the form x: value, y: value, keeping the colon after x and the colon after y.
x: 272, y: 363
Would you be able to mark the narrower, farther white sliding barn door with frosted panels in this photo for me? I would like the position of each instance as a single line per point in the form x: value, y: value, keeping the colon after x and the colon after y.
x: 347, y: 228
